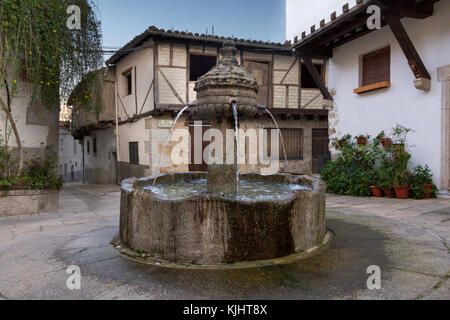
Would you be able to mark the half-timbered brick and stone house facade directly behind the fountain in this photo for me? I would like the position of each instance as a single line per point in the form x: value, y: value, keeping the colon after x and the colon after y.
x: 155, y: 76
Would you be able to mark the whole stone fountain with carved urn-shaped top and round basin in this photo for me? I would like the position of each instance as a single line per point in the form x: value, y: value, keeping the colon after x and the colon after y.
x: 222, y: 218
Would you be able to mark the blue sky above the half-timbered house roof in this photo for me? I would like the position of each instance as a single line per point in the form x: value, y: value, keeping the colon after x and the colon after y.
x: 122, y: 20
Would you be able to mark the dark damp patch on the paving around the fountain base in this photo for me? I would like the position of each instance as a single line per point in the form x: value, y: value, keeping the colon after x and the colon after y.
x: 339, y: 272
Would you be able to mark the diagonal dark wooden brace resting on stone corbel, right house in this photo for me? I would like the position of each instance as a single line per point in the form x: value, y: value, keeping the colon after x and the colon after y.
x: 415, y: 62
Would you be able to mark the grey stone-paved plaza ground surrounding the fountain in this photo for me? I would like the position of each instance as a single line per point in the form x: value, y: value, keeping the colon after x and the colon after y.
x: 409, y: 241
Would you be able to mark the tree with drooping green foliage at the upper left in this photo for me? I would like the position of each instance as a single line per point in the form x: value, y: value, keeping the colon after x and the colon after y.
x: 41, y: 56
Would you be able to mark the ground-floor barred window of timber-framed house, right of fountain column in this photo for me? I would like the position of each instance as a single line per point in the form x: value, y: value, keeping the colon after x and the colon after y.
x: 293, y: 141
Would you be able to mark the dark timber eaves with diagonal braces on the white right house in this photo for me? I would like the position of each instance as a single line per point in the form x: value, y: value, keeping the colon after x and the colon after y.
x: 352, y: 25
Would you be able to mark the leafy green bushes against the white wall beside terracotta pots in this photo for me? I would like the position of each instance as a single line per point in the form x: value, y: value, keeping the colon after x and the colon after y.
x: 360, y: 166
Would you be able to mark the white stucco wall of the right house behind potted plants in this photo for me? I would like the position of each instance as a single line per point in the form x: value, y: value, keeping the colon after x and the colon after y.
x: 402, y: 103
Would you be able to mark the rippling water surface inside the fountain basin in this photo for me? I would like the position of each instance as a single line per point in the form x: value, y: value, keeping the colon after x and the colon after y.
x: 248, y: 190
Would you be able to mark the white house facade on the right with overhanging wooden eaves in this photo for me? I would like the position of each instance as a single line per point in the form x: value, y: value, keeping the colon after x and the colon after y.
x: 398, y: 74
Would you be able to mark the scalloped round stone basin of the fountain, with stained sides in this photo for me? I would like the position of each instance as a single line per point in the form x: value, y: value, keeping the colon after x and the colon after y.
x: 178, y: 221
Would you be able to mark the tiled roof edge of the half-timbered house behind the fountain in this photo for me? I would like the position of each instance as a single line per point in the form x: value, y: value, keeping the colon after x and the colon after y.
x: 175, y: 35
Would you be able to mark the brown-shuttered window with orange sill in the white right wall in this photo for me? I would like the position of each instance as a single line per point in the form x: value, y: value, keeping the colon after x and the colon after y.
x: 376, y: 67
